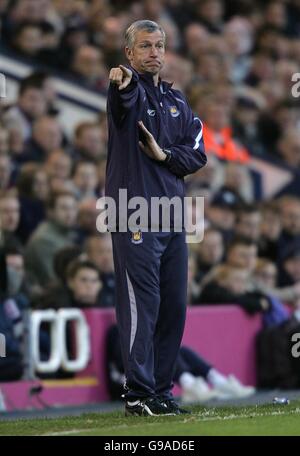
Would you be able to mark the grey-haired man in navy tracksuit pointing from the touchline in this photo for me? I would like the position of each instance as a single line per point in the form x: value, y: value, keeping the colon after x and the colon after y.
x: 154, y: 141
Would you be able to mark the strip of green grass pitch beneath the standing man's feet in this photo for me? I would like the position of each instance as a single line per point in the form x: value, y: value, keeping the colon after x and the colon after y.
x: 263, y: 420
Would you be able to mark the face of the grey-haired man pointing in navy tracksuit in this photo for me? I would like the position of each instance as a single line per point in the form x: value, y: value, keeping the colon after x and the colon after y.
x: 147, y: 53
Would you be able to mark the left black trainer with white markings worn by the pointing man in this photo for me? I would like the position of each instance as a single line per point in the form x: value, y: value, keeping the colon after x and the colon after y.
x: 147, y: 407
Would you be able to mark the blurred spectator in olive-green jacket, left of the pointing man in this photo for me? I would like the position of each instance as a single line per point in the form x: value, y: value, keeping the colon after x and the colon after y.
x: 53, y: 234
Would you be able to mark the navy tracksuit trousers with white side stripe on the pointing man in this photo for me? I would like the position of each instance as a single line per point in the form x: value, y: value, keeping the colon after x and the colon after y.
x: 151, y: 284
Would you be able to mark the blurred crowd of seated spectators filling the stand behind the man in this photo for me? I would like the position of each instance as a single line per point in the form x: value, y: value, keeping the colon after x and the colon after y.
x: 234, y: 60
